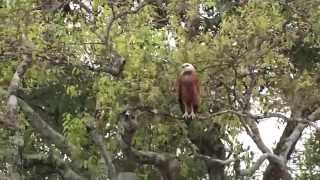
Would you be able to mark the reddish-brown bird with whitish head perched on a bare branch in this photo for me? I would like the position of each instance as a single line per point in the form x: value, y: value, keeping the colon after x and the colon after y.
x: 188, y: 88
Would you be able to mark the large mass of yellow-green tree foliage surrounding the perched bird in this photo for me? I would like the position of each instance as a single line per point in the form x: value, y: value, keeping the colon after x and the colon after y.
x: 272, y: 46
